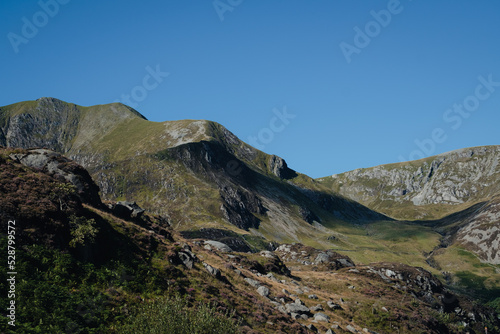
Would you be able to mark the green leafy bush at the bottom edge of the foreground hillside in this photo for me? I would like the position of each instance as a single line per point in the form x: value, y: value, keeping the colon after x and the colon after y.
x: 172, y: 315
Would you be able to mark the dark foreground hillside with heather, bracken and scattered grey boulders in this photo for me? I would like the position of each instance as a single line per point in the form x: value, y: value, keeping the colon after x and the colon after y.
x: 86, y: 267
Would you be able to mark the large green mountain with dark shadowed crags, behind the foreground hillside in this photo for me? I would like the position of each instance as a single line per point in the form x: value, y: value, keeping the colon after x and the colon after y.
x: 195, y: 173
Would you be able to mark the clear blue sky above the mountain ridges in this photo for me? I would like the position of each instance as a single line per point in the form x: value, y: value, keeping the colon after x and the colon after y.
x: 271, y: 55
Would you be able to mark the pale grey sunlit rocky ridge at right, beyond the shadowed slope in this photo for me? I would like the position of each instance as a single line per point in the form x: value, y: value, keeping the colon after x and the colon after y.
x: 427, y: 188
